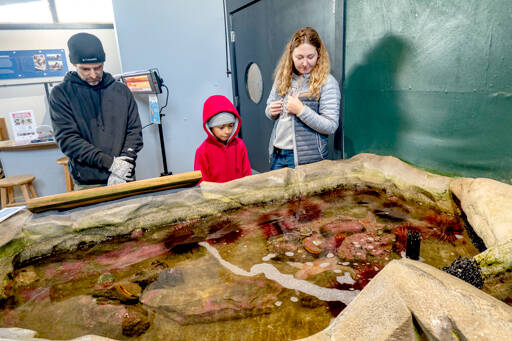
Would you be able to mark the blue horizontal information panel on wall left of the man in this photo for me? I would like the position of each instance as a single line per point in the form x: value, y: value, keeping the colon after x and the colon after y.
x: 18, y: 64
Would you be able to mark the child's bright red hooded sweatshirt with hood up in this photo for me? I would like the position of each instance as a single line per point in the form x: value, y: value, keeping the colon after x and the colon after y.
x: 220, y: 162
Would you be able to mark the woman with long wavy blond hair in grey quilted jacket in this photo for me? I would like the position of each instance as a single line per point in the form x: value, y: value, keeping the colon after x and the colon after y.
x: 304, y: 102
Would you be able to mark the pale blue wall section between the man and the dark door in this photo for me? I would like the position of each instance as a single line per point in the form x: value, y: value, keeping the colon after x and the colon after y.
x: 184, y: 39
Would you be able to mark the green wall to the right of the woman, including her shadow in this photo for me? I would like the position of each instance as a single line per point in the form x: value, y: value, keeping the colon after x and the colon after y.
x: 430, y: 82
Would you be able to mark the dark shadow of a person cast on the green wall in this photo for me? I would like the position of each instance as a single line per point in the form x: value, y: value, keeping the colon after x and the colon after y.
x: 374, y: 113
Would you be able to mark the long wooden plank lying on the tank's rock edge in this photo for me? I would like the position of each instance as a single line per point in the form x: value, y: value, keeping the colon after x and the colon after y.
x: 101, y: 194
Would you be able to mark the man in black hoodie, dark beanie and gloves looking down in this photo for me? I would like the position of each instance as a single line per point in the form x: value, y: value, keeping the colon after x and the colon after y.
x: 95, y: 118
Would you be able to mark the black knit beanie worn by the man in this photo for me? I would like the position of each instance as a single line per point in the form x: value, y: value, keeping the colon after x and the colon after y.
x: 85, y: 48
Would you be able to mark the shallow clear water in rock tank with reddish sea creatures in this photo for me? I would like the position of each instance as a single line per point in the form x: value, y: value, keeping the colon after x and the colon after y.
x: 275, y: 271
